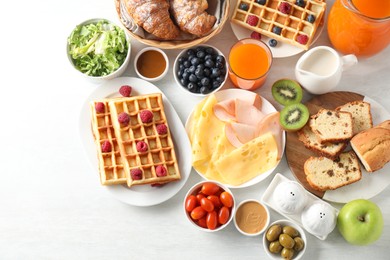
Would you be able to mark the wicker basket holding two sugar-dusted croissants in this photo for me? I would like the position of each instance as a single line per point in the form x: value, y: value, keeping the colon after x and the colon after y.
x: 173, y: 24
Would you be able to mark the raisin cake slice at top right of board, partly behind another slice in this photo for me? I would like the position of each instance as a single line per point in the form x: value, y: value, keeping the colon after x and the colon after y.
x: 361, y: 115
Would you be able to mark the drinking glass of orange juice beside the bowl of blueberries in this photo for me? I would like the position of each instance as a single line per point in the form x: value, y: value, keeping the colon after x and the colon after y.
x: 249, y: 63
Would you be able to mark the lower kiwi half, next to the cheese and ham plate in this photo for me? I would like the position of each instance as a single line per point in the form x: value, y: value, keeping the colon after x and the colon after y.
x: 293, y: 117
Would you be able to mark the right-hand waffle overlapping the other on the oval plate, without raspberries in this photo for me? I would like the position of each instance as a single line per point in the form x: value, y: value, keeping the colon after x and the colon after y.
x: 160, y: 150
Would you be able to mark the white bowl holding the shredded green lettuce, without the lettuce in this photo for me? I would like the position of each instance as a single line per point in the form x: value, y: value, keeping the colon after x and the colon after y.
x: 114, y: 74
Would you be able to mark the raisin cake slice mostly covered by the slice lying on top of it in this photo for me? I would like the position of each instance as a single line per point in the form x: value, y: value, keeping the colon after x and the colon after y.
x: 311, y: 142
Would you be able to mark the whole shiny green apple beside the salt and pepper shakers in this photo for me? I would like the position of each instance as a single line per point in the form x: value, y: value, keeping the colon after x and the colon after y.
x: 360, y: 222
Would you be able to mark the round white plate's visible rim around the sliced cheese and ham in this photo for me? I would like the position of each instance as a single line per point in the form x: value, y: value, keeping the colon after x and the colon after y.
x: 267, y: 108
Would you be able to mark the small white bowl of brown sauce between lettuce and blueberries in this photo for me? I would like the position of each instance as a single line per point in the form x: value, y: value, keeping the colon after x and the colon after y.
x: 151, y: 64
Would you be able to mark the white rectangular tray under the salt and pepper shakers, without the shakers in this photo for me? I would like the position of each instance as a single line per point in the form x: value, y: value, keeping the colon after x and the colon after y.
x: 268, y: 199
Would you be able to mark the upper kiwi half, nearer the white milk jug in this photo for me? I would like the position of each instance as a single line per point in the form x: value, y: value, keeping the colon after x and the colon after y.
x: 287, y: 92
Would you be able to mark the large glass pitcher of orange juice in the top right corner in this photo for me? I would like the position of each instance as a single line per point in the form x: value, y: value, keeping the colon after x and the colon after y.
x: 360, y: 27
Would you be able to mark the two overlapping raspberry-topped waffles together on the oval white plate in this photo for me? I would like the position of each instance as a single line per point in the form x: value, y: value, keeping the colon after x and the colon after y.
x: 119, y: 142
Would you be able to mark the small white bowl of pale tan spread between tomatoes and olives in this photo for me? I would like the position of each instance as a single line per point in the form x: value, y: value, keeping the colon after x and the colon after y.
x: 252, y: 218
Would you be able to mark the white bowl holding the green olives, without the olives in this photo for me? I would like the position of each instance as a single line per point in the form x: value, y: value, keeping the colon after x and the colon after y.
x: 285, y: 222
